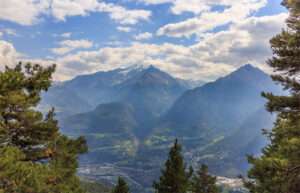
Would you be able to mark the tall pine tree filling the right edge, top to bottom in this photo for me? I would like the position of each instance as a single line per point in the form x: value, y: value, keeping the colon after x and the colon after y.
x: 278, y: 169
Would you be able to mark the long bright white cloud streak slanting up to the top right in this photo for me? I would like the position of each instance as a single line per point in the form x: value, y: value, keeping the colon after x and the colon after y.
x: 237, y: 11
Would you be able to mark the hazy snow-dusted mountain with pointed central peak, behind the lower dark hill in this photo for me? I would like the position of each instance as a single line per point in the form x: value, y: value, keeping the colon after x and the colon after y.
x: 150, y: 91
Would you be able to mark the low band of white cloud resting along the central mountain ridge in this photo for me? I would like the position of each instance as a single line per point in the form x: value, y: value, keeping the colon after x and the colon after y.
x: 174, y: 59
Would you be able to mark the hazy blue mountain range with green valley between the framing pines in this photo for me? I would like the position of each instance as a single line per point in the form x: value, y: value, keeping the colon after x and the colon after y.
x: 131, y: 116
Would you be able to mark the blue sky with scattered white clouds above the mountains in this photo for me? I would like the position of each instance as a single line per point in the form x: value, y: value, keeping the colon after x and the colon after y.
x: 189, y: 39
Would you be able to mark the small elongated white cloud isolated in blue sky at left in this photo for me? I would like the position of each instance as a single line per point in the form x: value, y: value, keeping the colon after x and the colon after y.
x: 69, y: 45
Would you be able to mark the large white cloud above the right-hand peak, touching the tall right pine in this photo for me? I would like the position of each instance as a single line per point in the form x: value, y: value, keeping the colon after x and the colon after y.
x: 245, y: 42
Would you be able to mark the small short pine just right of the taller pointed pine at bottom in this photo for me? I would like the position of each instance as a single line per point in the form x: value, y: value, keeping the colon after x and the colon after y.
x: 203, y: 182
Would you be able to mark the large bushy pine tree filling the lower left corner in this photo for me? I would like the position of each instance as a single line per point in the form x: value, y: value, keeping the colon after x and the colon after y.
x: 35, y: 156
